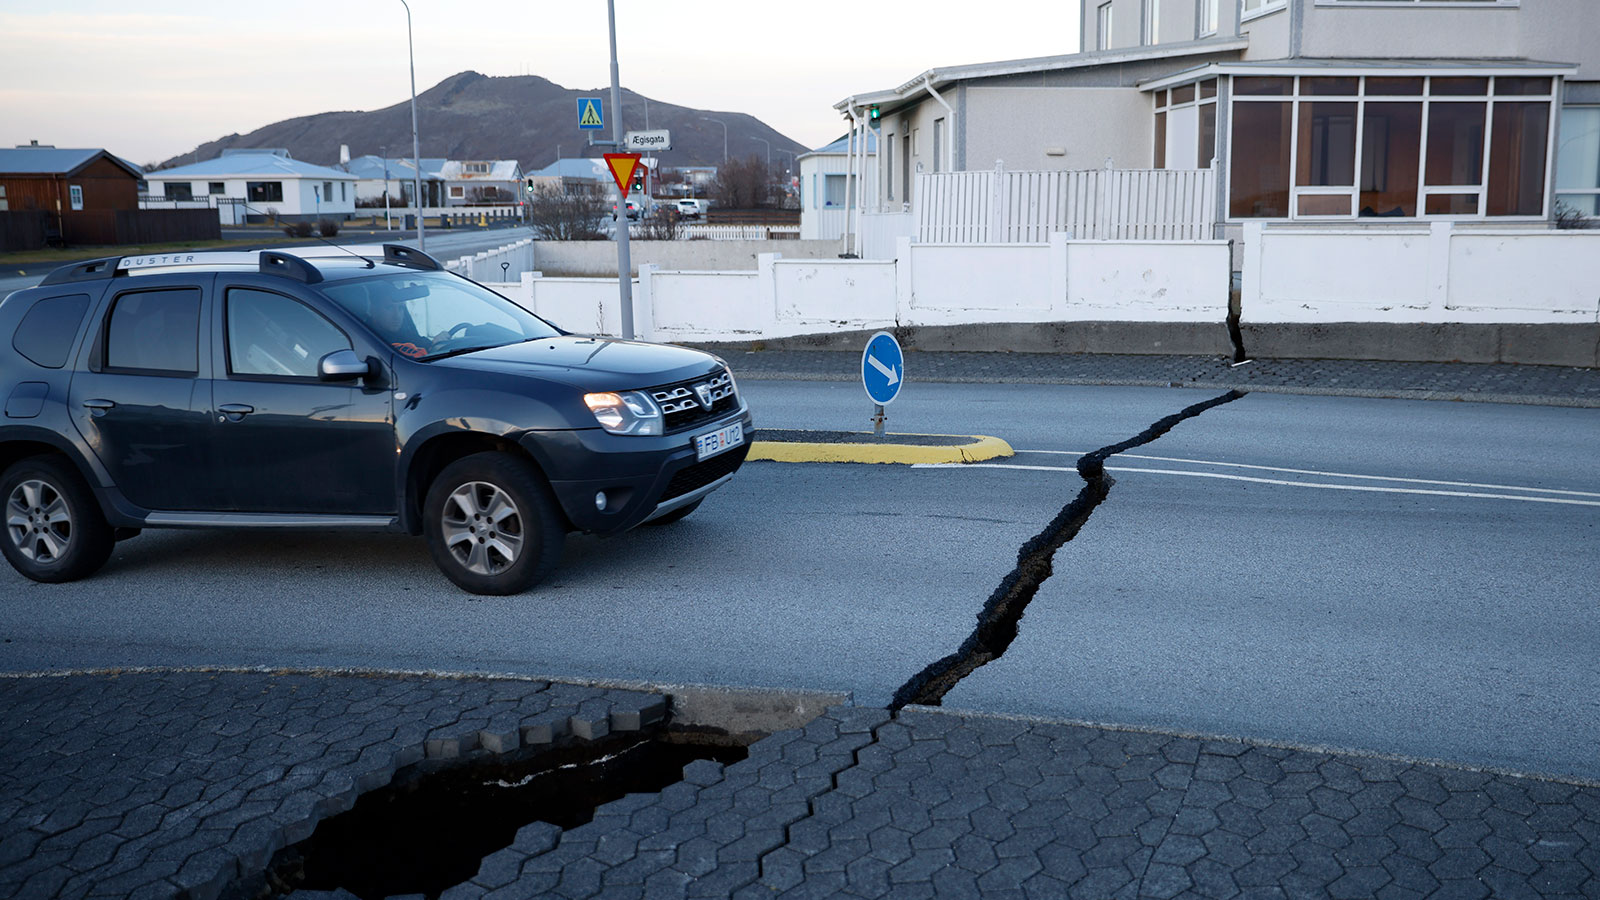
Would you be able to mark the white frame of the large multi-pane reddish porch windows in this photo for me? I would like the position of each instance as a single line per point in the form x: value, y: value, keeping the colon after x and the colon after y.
x: 1297, y: 98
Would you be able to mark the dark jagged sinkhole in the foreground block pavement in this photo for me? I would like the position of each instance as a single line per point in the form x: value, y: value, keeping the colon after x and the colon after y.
x: 431, y: 830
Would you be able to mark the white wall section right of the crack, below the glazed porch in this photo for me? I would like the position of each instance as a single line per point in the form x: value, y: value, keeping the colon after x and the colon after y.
x: 1420, y: 276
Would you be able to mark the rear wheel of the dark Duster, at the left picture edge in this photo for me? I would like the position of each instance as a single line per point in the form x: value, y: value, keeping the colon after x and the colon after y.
x: 54, y: 526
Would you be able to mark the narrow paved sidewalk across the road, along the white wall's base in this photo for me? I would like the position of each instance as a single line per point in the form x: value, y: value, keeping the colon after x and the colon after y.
x: 1546, y: 385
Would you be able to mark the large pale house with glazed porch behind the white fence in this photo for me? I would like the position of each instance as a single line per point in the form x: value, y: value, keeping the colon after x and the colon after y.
x: 1322, y: 111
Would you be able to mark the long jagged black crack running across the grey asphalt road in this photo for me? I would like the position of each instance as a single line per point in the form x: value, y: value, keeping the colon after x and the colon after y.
x: 1002, y: 613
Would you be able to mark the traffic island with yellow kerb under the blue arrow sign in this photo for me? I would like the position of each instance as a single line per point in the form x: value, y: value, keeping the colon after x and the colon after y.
x: 798, y: 446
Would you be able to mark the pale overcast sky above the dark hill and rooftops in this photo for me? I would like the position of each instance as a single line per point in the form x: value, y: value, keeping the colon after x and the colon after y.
x: 153, y: 79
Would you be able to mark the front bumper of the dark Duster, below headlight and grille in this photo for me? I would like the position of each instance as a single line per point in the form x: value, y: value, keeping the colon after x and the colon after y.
x: 641, y: 476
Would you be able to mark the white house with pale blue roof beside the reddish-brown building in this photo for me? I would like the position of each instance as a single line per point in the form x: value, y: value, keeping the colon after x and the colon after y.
x: 265, y: 183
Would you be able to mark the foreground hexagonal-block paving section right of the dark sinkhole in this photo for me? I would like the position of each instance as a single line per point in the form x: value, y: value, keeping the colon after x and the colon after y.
x: 942, y: 805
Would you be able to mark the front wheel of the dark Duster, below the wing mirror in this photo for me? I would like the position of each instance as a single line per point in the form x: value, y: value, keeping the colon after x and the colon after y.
x: 492, y: 524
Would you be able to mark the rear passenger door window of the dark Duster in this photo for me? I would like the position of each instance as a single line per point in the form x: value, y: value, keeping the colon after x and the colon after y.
x: 156, y: 331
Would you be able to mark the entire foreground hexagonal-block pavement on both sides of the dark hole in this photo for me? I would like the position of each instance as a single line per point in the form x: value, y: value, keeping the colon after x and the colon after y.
x: 177, y: 784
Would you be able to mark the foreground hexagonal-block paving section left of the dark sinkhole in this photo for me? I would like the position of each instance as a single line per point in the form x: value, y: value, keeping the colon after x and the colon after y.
x: 177, y: 784
